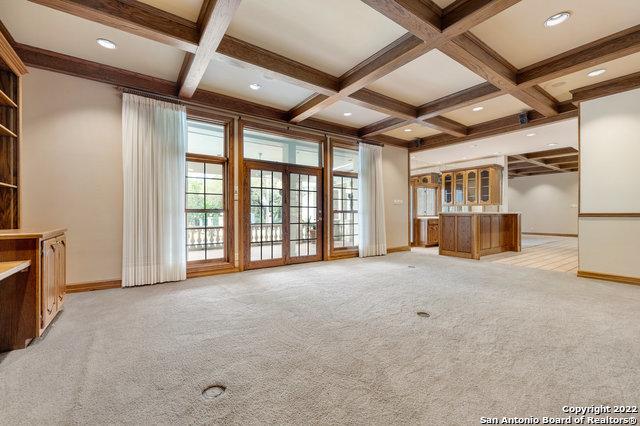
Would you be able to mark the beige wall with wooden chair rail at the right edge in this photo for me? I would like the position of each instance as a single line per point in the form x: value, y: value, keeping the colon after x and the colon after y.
x: 609, y: 153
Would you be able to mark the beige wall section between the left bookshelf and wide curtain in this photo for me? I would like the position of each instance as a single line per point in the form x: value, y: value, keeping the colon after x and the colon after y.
x: 71, y: 163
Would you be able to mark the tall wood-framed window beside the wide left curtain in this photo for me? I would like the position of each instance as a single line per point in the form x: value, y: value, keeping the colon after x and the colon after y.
x: 206, y: 192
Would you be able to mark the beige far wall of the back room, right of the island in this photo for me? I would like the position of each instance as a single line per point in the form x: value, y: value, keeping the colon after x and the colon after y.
x: 548, y: 203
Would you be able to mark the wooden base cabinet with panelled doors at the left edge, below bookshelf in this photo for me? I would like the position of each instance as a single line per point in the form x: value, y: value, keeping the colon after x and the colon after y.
x: 39, y: 293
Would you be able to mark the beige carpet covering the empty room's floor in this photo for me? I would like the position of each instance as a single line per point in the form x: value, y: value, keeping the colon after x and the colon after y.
x: 333, y: 343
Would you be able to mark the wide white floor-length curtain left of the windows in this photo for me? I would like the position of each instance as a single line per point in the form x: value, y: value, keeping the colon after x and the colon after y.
x: 154, y: 135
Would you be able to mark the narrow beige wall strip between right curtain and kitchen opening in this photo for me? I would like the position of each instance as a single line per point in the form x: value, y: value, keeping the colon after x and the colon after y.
x: 395, y: 170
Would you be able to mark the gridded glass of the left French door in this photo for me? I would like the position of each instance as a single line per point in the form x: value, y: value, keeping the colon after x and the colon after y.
x: 266, y: 207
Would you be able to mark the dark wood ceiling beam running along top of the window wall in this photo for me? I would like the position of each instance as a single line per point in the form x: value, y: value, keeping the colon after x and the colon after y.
x: 65, y: 64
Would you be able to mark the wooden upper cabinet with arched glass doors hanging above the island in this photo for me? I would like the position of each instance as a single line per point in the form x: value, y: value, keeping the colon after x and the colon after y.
x: 481, y: 186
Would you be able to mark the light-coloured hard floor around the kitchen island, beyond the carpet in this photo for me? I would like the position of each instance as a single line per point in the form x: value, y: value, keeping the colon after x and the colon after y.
x: 540, y: 252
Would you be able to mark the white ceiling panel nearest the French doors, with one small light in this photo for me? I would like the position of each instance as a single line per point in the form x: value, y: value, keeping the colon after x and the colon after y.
x: 233, y: 78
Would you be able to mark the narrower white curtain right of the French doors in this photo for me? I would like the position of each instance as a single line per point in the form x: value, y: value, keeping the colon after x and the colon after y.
x: 373, y: 241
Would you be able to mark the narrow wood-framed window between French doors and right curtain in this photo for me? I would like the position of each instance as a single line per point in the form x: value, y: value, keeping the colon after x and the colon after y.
x: 344, y: 198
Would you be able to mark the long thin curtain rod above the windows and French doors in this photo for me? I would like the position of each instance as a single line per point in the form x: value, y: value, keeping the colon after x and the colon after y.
x: 288, y: 126
